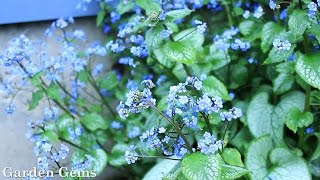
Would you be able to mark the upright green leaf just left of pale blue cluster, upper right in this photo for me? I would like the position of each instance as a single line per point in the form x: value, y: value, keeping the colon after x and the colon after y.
x: 269, y: 31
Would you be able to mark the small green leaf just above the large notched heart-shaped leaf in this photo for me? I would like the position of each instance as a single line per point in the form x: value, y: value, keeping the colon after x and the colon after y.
x: 283, y: 83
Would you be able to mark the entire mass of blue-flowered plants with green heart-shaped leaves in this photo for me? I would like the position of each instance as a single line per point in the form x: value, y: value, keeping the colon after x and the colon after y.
x: 184, y: 72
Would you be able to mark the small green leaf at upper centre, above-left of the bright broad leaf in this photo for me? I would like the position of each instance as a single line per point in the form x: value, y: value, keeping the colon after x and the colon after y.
x: 153, y: 37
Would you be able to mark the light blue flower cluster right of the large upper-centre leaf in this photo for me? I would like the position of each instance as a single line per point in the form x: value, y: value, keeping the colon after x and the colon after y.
x: 227, y: 40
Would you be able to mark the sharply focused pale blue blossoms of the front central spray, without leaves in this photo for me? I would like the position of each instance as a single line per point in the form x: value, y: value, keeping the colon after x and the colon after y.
x: 186, y: 103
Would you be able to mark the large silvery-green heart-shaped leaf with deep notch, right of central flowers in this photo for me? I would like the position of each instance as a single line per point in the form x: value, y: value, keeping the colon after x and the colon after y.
x: 265, y: 118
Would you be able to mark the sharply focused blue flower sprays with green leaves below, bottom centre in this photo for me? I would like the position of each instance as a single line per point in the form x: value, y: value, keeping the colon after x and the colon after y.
x: 186, y: 104
